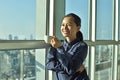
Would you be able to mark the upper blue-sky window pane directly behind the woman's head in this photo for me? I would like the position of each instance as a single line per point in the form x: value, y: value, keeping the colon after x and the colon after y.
x: 79, y: 7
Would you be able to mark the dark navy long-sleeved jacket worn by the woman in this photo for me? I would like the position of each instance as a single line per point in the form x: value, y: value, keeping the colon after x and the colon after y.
x: 66, y: 60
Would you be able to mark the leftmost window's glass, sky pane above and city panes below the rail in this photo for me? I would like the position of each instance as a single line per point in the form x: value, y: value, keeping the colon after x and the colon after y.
x: 17, y: 22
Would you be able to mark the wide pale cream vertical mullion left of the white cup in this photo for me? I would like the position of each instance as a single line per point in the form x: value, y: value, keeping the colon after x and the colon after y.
x: 41, y: 25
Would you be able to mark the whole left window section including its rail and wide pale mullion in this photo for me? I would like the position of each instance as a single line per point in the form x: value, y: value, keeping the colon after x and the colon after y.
x: 22, y: 30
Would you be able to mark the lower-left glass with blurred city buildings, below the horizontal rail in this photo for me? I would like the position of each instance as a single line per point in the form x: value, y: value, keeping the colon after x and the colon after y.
x: 11, y: 64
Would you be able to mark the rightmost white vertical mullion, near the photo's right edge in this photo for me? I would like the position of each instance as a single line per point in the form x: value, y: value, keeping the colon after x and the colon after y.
x: 115, y: 26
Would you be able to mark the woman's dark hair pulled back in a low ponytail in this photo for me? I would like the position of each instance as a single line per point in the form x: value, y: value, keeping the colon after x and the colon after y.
x: 77, y: 21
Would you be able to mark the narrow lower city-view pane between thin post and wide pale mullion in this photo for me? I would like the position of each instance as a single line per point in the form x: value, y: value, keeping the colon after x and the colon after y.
x: 29, y: 64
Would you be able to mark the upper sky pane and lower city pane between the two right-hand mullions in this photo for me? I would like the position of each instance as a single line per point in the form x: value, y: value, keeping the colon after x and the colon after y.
x: 104, y: 31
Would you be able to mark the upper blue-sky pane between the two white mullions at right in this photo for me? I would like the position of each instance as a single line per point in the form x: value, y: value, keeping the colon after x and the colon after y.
x: 104, y: 20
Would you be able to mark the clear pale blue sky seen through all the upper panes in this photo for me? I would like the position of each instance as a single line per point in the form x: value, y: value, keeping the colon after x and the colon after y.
x: 18, y: 17
